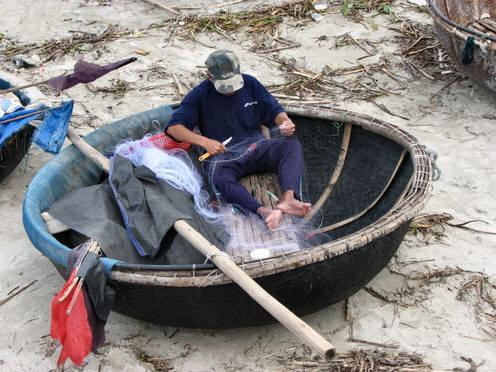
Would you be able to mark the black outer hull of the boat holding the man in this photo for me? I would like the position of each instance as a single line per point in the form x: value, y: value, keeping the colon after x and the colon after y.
x: 304, y: 290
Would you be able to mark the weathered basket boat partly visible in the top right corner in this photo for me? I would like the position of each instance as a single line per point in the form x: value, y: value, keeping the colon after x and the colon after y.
x: 472, y: 49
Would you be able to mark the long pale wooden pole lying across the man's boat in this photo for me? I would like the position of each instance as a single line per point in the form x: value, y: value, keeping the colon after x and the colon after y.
x: 297, y: 326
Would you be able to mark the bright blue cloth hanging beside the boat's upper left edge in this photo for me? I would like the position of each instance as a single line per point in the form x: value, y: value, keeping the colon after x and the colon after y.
x: 51, y: 134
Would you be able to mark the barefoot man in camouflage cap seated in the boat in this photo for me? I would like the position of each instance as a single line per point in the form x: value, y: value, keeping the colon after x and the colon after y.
x: 231, y: 104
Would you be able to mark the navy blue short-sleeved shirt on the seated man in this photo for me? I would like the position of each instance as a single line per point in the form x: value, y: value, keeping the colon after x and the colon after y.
x: 220, y: 116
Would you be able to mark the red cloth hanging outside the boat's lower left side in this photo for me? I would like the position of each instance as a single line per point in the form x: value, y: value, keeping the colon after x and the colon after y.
x: 72, y: 331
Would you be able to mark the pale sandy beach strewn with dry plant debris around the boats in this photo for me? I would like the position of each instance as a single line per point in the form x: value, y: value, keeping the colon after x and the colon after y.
x: 431, y: 306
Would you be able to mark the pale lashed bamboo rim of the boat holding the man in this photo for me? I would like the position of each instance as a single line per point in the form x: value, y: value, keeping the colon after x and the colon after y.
x: 201, y: 275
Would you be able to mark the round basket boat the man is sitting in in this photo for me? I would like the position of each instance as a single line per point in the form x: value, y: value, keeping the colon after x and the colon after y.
x: 384, y: 180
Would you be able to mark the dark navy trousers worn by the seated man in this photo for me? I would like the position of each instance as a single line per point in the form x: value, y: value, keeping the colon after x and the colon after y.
x: 283, y: 156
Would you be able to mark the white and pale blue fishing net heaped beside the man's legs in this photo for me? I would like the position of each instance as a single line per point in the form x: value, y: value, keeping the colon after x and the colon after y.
x: 248, y: 234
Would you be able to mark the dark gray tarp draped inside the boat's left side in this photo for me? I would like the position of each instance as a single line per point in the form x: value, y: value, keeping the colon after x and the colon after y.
x: 150, y: 208
